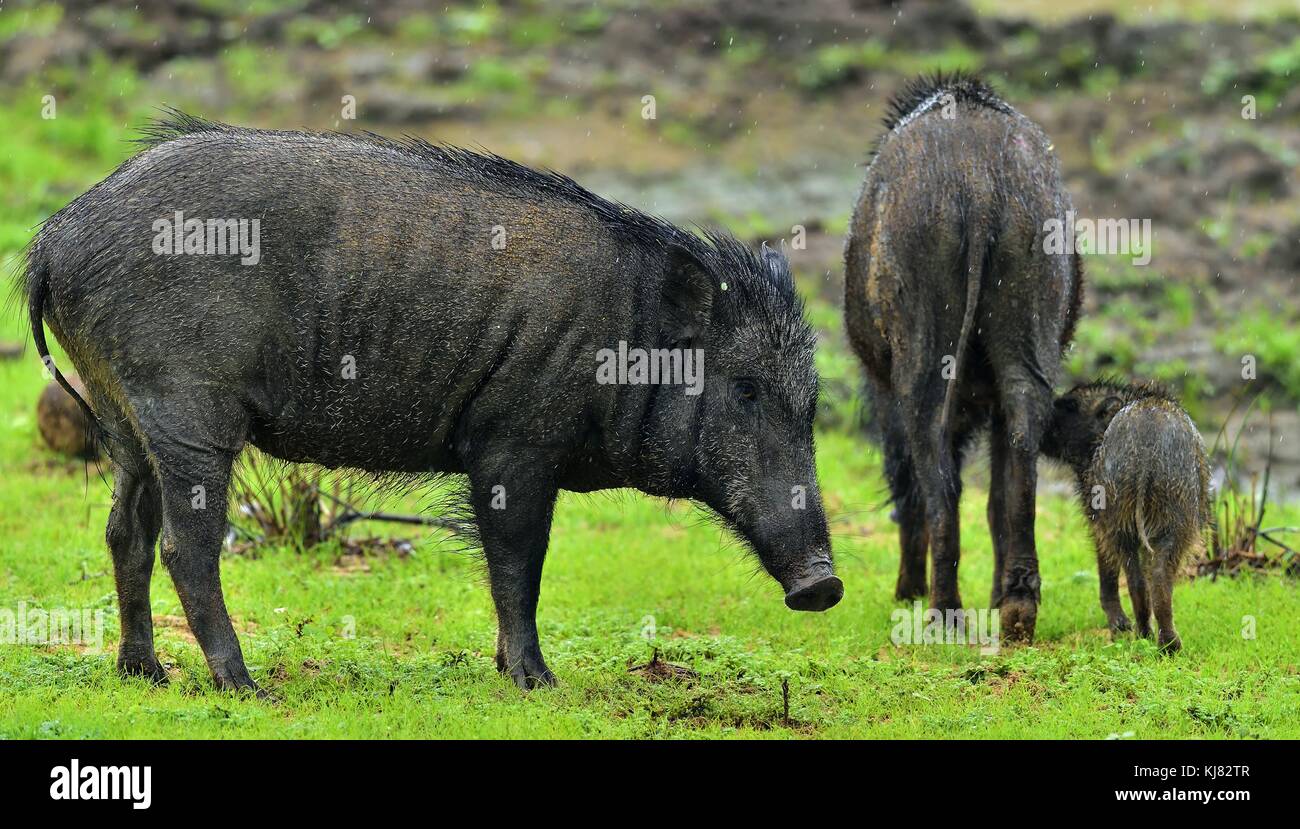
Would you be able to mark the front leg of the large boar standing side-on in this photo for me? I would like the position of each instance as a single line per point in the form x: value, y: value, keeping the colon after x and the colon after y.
x: 513, y: 507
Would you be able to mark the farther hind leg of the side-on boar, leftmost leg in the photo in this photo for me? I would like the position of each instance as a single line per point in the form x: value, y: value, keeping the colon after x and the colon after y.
x: 132, y: 535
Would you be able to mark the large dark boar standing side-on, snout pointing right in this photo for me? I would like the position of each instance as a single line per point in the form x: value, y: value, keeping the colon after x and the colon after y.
x: 408, y: 309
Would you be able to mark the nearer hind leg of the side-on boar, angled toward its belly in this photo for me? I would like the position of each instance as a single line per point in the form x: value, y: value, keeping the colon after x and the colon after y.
x: 194, y: 472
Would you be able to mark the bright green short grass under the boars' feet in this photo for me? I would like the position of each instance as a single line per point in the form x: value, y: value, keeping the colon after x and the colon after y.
x: 421, y: 663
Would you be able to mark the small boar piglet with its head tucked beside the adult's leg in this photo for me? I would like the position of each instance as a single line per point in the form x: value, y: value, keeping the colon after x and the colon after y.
x: 1143, y: 479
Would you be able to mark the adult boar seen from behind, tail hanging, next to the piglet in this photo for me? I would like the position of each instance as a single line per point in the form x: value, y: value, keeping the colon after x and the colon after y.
x: 960, y: 318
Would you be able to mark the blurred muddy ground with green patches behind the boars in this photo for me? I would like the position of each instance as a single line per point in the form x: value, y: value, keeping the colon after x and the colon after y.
x: 764, y: 116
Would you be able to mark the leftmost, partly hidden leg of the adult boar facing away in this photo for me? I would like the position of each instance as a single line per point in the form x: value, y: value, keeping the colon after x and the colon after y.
x: 909, y: 506
